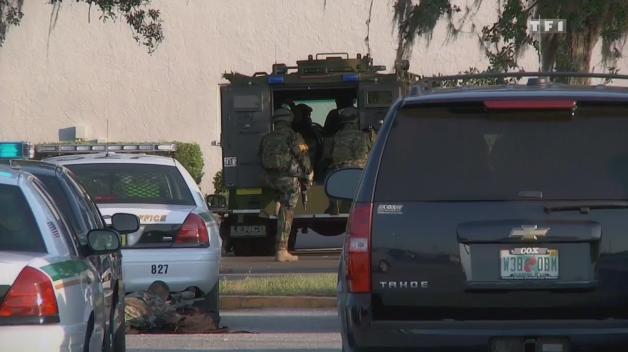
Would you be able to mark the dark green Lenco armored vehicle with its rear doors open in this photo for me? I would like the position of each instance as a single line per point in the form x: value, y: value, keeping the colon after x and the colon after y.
x: 323, y: 83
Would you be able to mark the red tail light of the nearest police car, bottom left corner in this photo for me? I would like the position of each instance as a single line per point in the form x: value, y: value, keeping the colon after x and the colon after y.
x: 31, y: 296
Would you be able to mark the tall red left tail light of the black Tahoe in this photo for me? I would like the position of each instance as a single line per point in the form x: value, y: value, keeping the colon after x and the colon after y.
x: 359, y: 248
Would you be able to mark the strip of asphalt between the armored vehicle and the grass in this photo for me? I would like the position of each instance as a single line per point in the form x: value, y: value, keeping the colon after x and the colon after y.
x: 322, y: 262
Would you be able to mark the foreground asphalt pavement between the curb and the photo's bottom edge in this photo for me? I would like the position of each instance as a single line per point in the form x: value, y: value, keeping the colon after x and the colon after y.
x: 254, y: 330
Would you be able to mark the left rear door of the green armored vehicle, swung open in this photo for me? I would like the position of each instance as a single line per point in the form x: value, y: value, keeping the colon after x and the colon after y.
x: 246, y: 113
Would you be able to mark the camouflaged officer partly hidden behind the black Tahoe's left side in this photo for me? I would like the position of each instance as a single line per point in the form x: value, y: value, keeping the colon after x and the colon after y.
x: 349, y: 147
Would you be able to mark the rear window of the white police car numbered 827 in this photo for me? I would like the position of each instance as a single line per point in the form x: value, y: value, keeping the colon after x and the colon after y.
x: 133, y: 183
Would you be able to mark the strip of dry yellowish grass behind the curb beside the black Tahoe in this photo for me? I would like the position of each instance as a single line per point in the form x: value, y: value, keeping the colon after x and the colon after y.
x: 322, y: 285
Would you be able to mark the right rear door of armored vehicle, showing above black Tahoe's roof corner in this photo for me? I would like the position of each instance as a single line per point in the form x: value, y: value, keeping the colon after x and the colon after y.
x: 374, y: 99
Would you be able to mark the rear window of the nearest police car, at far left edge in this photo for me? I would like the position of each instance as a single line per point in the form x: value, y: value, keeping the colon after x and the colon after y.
x: 18, y: 229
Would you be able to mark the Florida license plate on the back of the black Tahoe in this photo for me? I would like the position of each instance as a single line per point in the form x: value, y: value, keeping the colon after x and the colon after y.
x: 529, y: 264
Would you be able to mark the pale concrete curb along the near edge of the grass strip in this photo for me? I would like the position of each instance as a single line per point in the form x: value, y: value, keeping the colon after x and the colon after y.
x: 263, y: 302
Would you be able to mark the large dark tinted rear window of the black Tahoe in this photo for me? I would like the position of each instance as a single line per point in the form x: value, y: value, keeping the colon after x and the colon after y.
x: 461, y: 152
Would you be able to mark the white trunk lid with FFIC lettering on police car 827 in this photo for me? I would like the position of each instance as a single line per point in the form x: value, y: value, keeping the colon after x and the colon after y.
x: 148, y: 213
